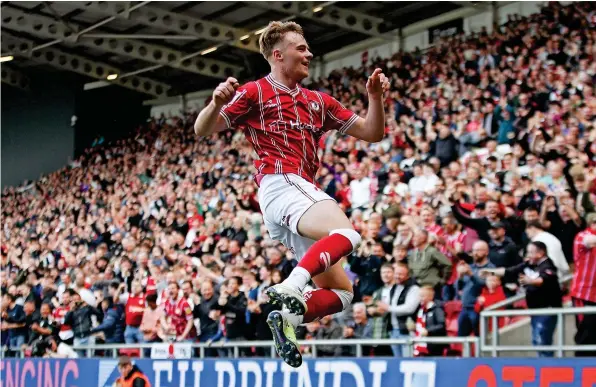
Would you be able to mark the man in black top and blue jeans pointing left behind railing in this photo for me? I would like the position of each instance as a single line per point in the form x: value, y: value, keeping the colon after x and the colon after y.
x: 538, y: 275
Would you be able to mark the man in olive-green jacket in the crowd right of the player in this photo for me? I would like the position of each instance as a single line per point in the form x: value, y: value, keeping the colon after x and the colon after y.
x: 426, y: 263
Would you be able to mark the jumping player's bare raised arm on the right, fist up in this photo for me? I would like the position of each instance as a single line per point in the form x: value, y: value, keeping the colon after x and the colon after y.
x: 372, y: 128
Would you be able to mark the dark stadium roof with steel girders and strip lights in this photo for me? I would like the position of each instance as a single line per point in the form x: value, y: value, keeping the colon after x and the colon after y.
x: 171, y: 48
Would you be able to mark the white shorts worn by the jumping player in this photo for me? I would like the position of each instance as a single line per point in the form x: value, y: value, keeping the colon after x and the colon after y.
x: 284, y: 198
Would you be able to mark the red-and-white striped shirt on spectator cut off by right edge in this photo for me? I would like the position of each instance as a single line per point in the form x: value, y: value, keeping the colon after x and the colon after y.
x: 584, y: 278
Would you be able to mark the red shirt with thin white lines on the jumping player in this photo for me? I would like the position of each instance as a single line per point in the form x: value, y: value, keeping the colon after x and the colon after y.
x: 284, y: 126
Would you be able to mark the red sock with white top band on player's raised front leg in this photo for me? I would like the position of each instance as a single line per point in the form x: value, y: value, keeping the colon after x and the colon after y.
x: 325, y: 253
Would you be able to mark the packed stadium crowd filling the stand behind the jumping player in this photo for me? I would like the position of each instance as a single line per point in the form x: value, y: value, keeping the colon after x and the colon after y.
x: 489, y: 161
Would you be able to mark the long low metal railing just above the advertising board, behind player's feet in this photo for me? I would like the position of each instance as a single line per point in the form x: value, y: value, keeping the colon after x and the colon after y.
x: 235, y: 346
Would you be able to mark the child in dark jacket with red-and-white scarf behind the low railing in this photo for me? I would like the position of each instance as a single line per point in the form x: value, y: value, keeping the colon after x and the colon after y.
x: 430, y: 322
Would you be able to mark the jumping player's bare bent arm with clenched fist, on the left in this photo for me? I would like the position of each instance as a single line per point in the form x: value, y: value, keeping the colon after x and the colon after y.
x: 210, y: 120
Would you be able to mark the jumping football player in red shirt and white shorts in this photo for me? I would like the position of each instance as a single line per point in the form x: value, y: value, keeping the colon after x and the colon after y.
x: 284, y: 123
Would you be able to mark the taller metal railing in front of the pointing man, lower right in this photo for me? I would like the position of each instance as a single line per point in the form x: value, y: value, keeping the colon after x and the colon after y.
x: 558, y: 347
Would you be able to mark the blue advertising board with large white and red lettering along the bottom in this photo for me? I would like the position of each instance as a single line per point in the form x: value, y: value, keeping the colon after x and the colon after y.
x: 369, y: 372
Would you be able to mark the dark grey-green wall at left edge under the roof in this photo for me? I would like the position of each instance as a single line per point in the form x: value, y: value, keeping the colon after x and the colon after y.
x: 37, y: 136
